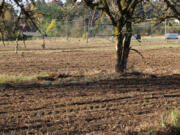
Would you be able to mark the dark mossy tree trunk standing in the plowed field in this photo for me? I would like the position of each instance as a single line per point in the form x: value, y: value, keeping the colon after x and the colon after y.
x: 123, y: 48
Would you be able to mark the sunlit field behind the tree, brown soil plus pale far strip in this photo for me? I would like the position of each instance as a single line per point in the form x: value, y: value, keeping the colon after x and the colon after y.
x: 60, y: 53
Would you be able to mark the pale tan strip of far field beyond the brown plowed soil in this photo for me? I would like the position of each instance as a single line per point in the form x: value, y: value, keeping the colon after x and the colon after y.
x: 74, y: 44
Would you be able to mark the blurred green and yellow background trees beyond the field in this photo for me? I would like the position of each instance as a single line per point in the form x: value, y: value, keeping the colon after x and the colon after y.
x: 56, y: 18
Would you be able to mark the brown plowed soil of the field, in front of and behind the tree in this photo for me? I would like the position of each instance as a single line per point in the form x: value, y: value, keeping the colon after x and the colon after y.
x: 115, y: 105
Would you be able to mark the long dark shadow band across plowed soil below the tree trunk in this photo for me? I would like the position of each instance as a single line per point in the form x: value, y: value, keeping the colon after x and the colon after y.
x: 139, y: 81
